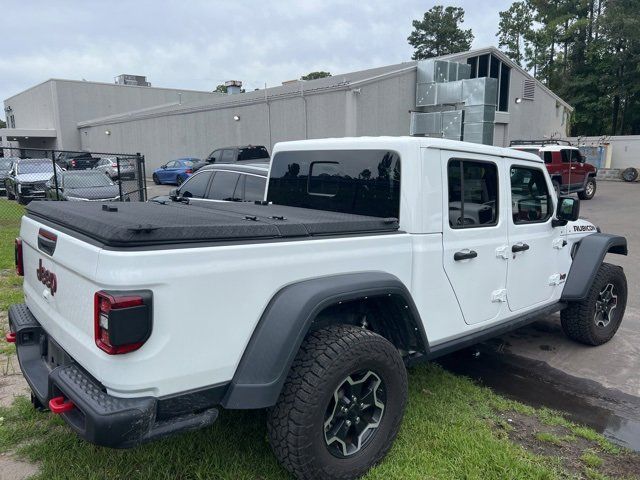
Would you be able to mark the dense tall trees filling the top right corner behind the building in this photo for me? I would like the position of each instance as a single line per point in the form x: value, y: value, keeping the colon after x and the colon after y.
x: 587, y: 51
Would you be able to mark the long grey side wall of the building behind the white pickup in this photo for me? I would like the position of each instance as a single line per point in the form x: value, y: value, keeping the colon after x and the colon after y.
x: 379, y: 108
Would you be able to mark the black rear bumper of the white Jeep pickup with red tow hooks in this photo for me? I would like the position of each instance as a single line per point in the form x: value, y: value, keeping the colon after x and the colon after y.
x: 97, y: 417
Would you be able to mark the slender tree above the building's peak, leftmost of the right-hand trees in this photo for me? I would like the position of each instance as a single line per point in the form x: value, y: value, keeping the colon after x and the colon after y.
x: 515, y: 32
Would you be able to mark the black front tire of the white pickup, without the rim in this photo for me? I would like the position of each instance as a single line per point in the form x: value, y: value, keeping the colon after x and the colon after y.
x: 578, y: 319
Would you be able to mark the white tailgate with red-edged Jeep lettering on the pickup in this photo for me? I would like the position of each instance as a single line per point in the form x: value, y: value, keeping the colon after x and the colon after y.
x: 59, y: 274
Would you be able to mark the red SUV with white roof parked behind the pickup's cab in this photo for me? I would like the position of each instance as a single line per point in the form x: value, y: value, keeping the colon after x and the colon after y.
x: 566, y: 165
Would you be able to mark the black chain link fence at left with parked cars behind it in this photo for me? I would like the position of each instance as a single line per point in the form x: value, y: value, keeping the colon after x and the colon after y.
x: 28, y: 175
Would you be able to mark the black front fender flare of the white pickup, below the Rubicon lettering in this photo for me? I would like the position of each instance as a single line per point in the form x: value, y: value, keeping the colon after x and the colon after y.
x: 588, y: 256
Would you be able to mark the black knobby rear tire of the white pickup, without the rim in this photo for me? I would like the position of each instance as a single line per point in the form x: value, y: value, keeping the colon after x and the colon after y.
x: 295, y: 425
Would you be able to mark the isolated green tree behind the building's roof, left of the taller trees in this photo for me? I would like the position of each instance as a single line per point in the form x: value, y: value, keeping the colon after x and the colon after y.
x: 439, y: 33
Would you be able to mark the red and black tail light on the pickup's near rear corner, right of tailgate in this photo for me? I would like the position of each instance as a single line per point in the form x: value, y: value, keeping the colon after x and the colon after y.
x: 122, y: 320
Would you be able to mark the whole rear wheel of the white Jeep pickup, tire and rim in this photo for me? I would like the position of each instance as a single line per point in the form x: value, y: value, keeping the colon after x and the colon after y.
x: 341, y: 406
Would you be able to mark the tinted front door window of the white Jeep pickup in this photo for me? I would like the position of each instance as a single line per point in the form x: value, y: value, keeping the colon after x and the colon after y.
x: 530, y: 199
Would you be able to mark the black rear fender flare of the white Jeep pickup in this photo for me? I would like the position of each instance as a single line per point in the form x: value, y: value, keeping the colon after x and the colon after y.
x: 285, y: 322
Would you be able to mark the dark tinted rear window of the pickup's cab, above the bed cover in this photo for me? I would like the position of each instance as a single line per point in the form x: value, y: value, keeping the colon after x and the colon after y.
x: 363, y: 182
